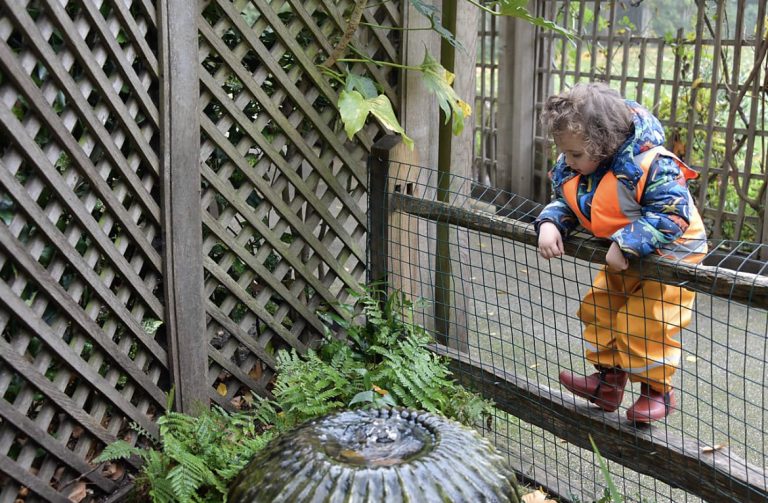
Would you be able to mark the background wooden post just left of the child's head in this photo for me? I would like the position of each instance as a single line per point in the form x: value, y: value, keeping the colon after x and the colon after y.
x: 517, y: 108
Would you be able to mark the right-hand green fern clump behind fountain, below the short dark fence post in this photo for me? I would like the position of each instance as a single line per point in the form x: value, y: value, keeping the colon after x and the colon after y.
x: 386, y: 360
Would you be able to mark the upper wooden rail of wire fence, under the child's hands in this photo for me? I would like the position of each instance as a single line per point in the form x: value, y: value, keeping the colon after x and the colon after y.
x: 747, y: 288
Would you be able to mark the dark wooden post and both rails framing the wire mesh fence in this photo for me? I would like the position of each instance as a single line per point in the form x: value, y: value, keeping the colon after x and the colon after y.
x: 654, y: 451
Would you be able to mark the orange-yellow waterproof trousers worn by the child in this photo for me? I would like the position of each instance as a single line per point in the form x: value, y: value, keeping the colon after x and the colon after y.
x: 632, y: 323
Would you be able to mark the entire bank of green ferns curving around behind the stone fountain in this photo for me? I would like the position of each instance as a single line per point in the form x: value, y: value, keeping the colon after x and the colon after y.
x: 382, y: 359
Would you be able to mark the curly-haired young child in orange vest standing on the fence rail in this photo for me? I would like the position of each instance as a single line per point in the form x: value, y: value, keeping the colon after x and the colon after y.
x: 615, y: 178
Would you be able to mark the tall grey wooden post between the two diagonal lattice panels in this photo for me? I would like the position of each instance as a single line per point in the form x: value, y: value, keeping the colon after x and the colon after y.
x: 182, y: 217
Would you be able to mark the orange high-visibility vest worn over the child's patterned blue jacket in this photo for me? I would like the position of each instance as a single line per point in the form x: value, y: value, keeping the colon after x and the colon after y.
x: 614, y: 205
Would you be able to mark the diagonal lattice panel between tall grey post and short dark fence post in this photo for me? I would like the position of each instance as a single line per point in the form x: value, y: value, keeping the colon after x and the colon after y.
x: 283, y: 191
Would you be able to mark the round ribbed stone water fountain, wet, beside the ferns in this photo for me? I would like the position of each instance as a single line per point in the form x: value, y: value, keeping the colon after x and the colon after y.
x: 377, y: 455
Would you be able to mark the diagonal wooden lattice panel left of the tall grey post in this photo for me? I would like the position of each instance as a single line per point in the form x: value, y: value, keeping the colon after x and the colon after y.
x: 79, y: 269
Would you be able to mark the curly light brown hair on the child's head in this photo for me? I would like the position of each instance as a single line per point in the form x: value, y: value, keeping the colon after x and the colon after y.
x: 595, y: 112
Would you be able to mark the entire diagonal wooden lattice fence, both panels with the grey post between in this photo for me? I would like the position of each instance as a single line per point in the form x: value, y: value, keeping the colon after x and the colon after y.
x: 102, y: 203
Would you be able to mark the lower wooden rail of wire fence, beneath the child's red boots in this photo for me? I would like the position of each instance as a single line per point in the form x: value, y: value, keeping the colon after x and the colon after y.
x: 714, y: 476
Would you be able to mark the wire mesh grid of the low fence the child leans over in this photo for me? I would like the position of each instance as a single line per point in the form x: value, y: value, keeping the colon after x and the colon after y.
x: 516, y: 314
